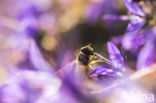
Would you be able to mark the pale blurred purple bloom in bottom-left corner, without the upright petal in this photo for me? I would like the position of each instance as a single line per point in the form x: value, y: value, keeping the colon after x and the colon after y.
x: 34, y: 87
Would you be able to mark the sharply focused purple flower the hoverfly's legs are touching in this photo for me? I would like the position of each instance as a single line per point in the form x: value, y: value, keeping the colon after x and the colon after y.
x: 116, y: 64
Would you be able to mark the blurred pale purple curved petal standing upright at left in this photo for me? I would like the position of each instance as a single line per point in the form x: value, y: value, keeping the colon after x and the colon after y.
x: 37, y: 59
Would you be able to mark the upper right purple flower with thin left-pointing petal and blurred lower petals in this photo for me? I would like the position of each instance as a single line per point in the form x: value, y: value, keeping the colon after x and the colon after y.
x: 137, y: 21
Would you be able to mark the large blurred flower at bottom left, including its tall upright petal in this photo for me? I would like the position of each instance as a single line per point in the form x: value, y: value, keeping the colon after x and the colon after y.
x: 40, y: 86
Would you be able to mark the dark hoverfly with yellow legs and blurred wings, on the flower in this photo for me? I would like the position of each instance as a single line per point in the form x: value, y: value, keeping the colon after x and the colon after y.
x: 84, y: 61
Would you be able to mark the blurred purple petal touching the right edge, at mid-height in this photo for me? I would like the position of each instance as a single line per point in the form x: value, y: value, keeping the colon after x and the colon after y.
x: 147, y: 54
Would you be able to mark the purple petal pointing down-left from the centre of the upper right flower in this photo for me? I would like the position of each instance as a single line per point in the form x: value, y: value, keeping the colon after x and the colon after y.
x: 135, y: 24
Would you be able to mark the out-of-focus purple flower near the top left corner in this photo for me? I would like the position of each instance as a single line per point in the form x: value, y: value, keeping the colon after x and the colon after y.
x: 28, y: 15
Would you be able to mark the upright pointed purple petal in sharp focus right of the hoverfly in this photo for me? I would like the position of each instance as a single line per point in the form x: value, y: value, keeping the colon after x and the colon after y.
x: 115, y: 56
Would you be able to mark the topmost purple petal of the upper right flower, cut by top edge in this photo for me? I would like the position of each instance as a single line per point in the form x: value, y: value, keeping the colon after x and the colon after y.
x: 134, y: 7
